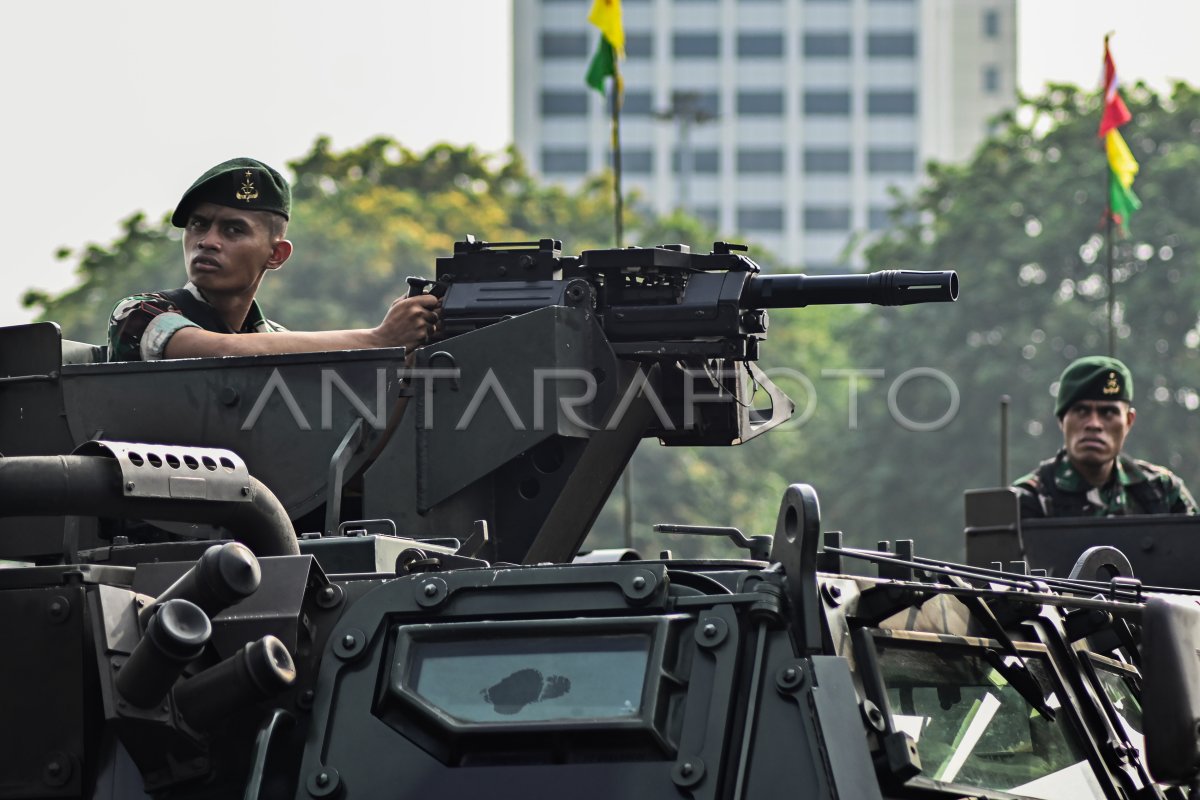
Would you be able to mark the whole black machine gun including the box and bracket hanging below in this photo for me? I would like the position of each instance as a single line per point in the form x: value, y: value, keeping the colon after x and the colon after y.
x: 698, y: 318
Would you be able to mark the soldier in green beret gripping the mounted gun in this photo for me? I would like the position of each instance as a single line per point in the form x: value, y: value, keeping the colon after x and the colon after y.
x: 235, y: 220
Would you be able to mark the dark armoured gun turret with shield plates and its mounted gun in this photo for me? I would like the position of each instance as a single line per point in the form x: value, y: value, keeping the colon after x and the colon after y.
x: 550, y: 371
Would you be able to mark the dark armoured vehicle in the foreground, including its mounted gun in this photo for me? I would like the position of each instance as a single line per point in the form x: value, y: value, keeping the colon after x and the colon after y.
x: 358, y: 575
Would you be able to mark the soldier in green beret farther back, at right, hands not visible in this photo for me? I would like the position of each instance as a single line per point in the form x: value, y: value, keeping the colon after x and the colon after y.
x: 1091, y: 477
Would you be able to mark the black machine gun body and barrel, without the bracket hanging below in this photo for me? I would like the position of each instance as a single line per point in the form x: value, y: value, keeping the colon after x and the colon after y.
x: 655, y: 303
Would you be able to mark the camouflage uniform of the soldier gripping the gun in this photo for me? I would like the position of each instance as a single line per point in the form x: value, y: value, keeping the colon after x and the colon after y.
x: 141, y: 326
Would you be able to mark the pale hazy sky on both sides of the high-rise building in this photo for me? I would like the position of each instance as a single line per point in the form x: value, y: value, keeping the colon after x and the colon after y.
x: 116, y: 107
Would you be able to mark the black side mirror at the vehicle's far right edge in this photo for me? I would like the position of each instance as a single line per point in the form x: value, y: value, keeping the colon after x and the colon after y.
x: 1171, y: 670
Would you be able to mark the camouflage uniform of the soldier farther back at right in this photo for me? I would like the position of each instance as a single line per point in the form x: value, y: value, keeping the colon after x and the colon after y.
x: 1057, y: 490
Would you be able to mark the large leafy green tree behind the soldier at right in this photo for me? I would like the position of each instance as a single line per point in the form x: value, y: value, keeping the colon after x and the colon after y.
x: 1022, y: 224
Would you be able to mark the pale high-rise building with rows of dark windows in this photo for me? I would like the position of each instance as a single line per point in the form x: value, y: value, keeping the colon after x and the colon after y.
x: 782, y: 122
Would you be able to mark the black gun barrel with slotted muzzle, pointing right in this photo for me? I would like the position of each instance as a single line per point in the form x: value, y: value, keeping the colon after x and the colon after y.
x: 884, y: 288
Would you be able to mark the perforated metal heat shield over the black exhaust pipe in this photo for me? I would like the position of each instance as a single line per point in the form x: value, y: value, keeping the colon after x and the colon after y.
x: 176, y: 472
